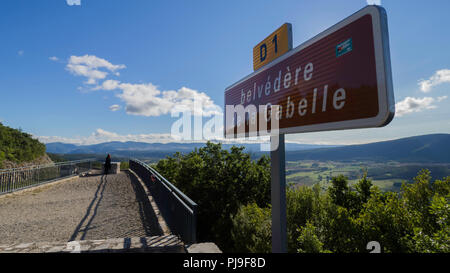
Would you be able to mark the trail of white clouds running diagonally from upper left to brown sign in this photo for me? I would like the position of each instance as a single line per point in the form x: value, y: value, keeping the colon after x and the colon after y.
x: 144, y: 99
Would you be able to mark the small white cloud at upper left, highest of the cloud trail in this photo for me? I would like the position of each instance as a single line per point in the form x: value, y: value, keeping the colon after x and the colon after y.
x: 89, y: 66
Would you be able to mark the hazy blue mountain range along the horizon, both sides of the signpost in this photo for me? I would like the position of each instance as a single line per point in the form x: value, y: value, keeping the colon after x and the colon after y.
x: 425, y: 148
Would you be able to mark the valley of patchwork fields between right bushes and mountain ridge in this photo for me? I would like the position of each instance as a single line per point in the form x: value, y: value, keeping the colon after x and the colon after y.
x: 387, y: 176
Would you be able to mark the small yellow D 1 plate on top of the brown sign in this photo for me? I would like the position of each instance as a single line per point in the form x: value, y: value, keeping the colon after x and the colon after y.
x: 275, y: 45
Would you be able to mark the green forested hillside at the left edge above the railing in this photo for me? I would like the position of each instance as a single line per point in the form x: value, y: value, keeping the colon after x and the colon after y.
x: 17, y: 146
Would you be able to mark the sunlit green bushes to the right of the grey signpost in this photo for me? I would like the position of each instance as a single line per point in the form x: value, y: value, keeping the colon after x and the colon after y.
x: 342, y: 219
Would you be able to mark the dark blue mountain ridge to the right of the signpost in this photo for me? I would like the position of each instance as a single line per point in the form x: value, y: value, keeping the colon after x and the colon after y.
x: 425, y: 148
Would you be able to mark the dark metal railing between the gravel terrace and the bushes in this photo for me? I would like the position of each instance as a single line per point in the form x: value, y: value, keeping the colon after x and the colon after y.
x: 178, y: 210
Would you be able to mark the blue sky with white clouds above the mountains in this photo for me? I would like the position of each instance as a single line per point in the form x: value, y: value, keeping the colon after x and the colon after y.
x: 100, y: 70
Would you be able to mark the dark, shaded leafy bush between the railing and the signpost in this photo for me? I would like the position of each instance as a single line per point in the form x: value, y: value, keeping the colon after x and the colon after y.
x: 220, y: 182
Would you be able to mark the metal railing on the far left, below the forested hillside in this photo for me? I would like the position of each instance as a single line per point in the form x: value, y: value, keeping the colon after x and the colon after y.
x: 12, y: 180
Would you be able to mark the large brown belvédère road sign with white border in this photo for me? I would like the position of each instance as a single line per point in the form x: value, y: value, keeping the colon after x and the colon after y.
x: 340, y: 79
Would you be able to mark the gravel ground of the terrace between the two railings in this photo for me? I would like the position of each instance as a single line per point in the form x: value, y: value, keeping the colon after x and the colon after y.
x: 85, y: 208
